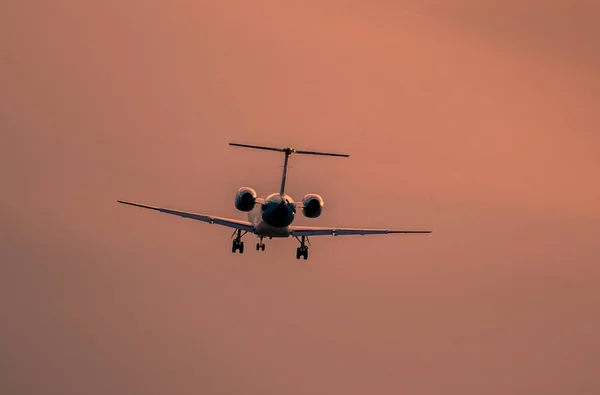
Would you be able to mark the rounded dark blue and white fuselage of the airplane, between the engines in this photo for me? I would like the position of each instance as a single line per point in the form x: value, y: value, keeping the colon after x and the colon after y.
x: 273, y: 218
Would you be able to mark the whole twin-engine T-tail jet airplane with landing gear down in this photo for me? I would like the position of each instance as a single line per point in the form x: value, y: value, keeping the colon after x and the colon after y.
x: 273, y: 216
